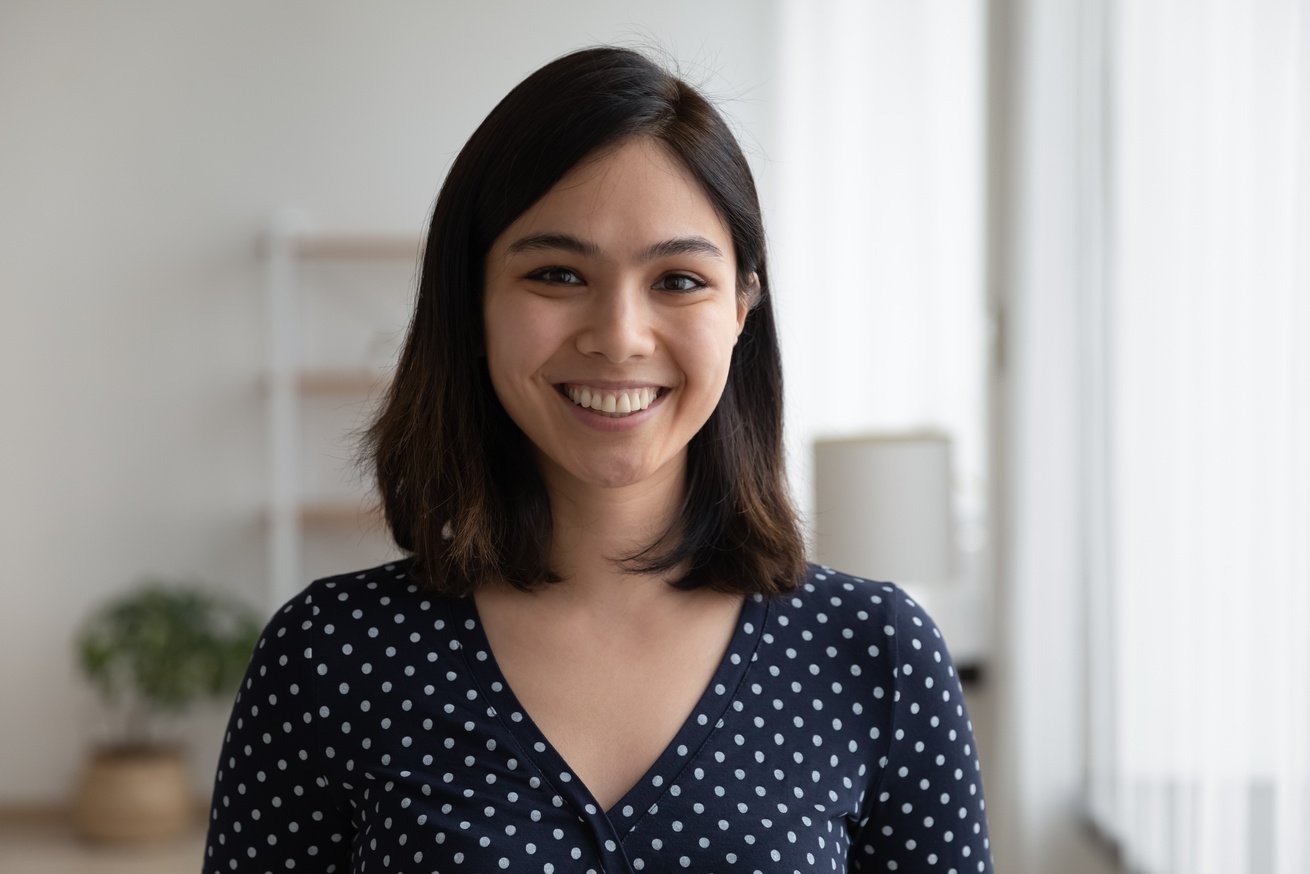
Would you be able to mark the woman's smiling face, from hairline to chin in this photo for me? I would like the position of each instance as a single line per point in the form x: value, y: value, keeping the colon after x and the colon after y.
x: 611, y: 314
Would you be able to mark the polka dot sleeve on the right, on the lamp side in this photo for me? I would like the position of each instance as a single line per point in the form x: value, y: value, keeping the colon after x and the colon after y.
x: 927, y: 810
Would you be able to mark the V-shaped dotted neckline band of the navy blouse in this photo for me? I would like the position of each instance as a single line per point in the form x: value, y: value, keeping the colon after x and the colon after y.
x: 687, y: 742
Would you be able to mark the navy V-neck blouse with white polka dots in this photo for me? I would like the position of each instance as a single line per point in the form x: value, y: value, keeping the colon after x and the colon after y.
x: 375, y: 733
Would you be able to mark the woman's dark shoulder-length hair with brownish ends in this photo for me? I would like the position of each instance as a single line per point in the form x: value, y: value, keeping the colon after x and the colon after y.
x: 458, y: 479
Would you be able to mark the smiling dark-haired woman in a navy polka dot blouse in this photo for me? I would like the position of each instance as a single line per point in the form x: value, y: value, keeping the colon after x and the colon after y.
x: 606, y: 652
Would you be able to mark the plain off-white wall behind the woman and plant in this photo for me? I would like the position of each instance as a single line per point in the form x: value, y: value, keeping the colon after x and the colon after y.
x: 143, y: 149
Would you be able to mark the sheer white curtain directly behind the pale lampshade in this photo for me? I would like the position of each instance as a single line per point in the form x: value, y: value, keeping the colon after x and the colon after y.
x: 877, y: 234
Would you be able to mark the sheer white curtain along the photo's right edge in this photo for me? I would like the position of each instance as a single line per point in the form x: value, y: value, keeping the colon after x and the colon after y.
x: 1199, y: 526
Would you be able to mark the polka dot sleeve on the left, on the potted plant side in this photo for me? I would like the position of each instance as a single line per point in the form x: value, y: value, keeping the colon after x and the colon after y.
x: 274, y: 808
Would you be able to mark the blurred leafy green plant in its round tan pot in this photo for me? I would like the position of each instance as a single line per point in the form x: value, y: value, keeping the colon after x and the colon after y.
x: 151, y: 655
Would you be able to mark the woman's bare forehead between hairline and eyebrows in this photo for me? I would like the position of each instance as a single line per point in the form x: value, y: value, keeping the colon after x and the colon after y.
x: 624, y: 199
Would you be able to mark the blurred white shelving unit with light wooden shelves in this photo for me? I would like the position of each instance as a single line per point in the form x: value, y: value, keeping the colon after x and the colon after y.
x: 339, y: 305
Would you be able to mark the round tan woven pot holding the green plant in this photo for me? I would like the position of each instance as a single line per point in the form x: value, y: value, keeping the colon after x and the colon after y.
x: 134, y: 796
